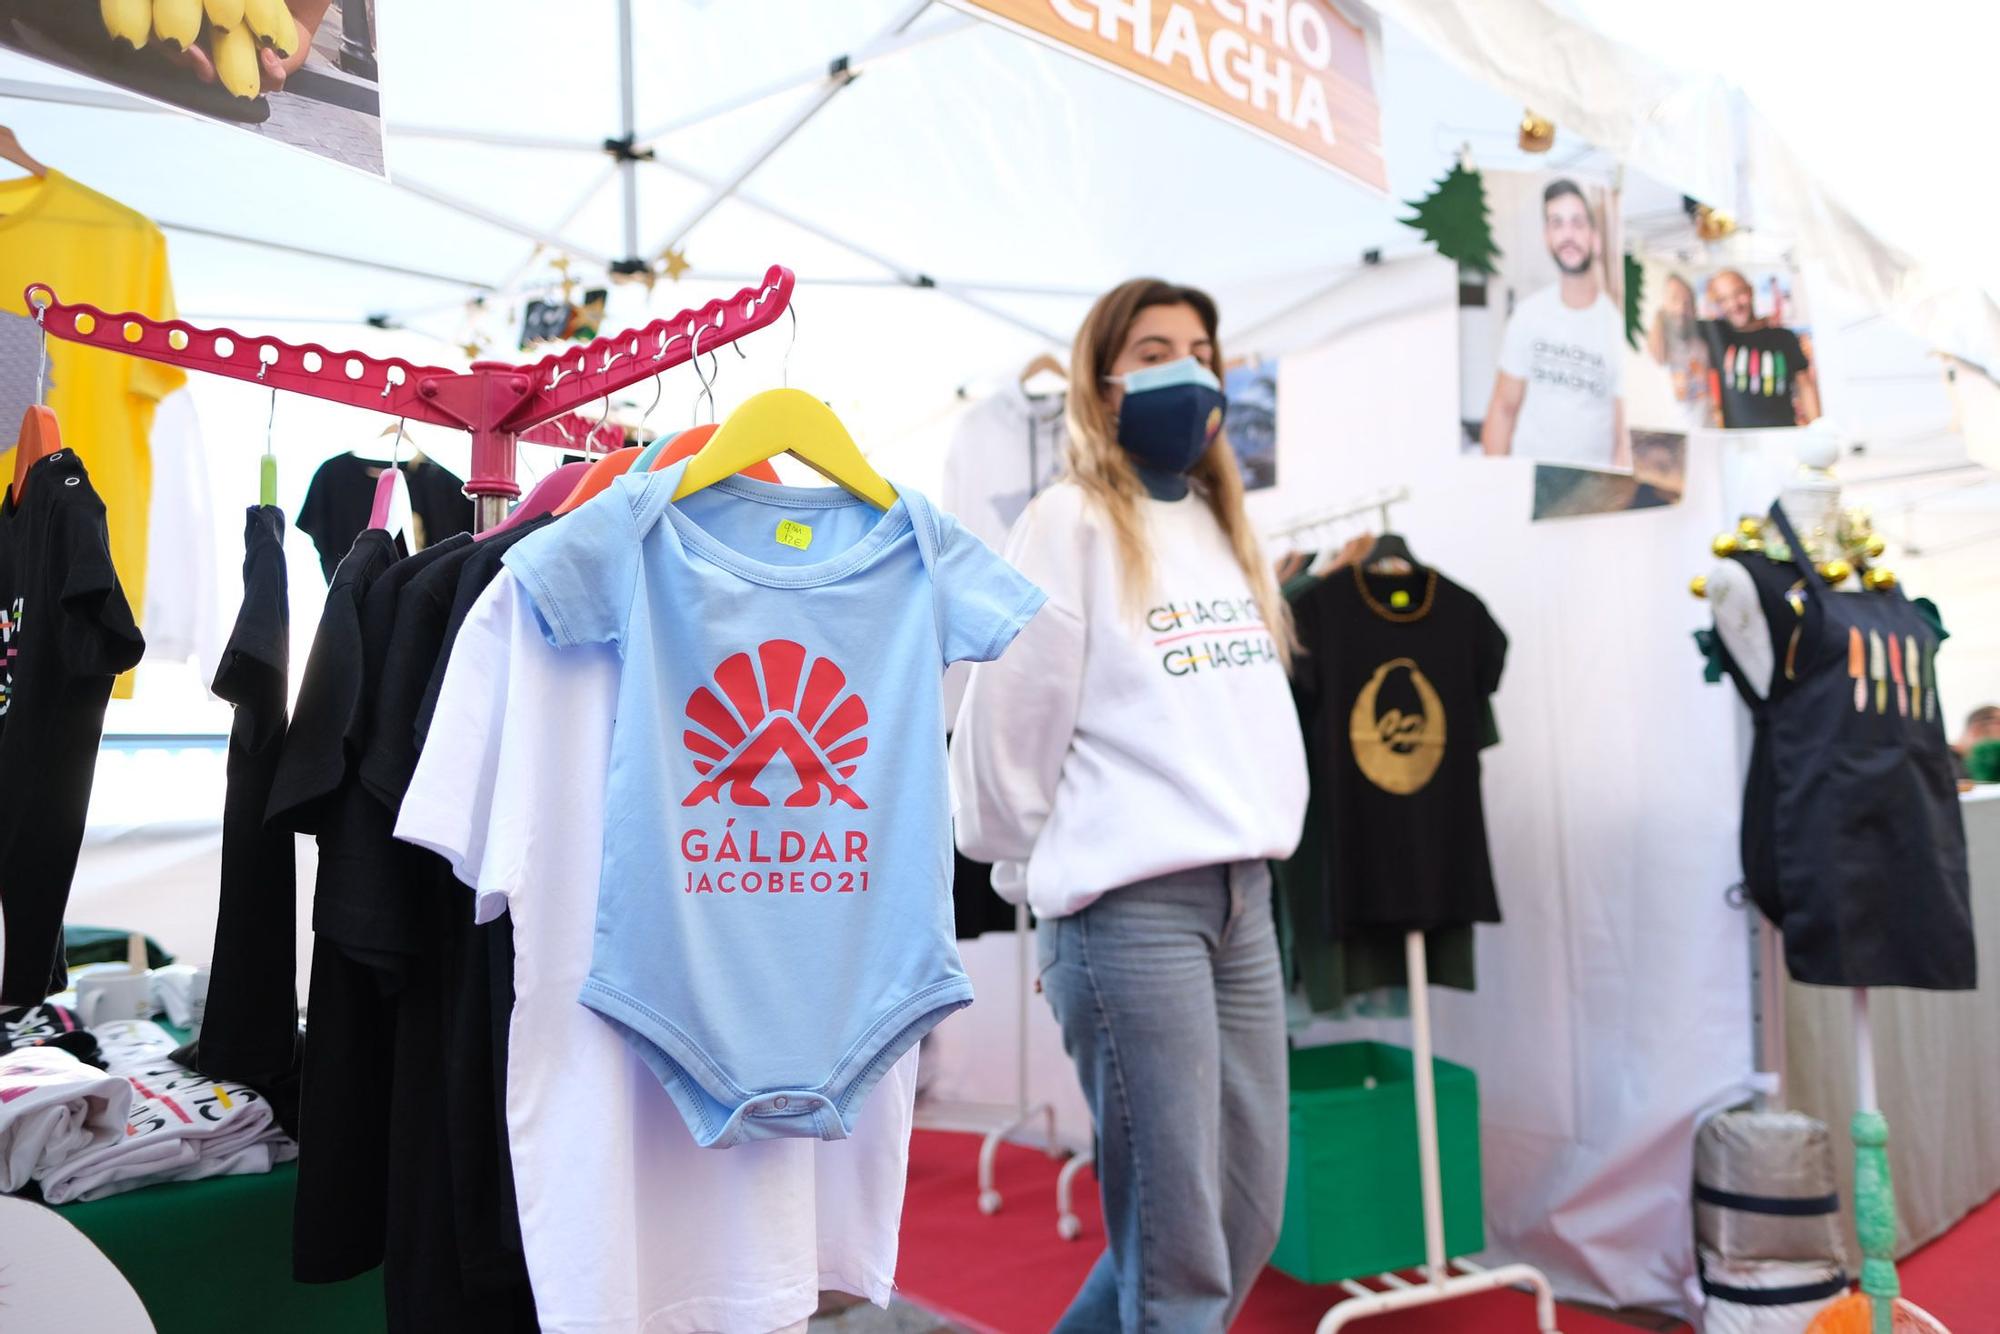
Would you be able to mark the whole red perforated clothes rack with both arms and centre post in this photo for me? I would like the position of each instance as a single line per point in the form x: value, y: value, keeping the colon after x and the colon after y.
x: 499, y: 403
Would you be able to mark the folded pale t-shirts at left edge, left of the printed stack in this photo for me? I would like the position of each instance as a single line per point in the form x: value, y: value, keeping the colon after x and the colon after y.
x: 55, y: 1109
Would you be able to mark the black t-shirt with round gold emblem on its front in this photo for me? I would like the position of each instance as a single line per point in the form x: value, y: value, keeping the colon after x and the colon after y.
x: 1393, y: 691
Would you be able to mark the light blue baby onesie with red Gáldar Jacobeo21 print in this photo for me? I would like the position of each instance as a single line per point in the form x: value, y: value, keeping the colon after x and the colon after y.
x: 775, y: 921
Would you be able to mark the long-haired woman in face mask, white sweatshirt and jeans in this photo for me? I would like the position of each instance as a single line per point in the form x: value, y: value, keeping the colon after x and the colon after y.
x: 1129, y: 767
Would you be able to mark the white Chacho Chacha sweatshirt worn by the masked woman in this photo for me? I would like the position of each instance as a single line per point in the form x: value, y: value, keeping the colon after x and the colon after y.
x: 1109, y: 747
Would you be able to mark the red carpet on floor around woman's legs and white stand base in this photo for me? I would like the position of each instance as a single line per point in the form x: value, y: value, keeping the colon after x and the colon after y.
x: 1013, y: 1275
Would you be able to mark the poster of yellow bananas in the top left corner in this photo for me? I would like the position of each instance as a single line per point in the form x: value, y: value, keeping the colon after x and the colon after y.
x: 301, y: 73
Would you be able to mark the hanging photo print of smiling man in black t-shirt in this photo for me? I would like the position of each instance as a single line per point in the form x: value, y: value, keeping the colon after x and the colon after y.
x: 1735, y: 341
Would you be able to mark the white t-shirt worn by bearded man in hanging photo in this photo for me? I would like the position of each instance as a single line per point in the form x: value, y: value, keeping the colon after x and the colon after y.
x: 1575, y: 369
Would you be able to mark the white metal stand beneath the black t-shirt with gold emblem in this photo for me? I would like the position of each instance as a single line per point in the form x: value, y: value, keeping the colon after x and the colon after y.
x: 1441, y: 1285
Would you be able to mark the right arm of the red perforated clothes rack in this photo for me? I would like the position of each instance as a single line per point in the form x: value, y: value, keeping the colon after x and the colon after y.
x: 575, y: 377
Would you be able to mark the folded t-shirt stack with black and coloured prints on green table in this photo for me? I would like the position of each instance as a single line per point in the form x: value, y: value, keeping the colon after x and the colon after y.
x: 181, y: 1125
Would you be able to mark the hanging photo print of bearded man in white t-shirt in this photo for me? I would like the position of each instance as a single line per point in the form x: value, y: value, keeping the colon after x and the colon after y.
x: 1543, y: 341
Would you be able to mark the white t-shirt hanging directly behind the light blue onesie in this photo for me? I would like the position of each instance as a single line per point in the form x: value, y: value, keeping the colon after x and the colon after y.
x: 625, y: 1223
